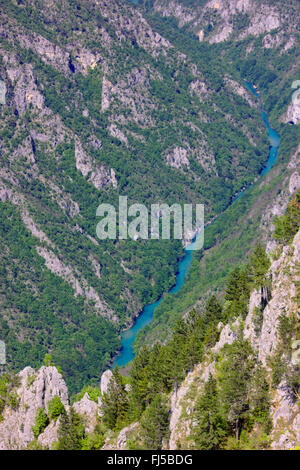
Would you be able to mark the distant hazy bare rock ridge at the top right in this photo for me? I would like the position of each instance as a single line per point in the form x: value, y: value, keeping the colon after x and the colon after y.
x: 216, y: 20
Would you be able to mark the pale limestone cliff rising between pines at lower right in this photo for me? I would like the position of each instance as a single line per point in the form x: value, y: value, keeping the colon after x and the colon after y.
x: 264, y: 336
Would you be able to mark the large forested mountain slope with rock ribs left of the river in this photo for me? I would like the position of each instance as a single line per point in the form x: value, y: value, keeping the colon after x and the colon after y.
x: 100, y: 104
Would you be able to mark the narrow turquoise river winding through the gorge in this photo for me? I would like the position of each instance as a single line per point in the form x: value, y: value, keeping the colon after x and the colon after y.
x: 126, y: 353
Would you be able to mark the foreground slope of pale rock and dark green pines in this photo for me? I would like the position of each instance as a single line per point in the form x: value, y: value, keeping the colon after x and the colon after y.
x: 35, y: 404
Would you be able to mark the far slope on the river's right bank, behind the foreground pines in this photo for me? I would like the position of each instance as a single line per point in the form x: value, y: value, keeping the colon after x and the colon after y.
x: 274, y: 69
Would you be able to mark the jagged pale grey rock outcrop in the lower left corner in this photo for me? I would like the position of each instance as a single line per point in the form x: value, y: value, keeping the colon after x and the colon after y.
x: 35, y: 390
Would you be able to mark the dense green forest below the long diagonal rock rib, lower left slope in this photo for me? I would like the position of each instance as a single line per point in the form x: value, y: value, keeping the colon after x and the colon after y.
x: 81, y: 343
